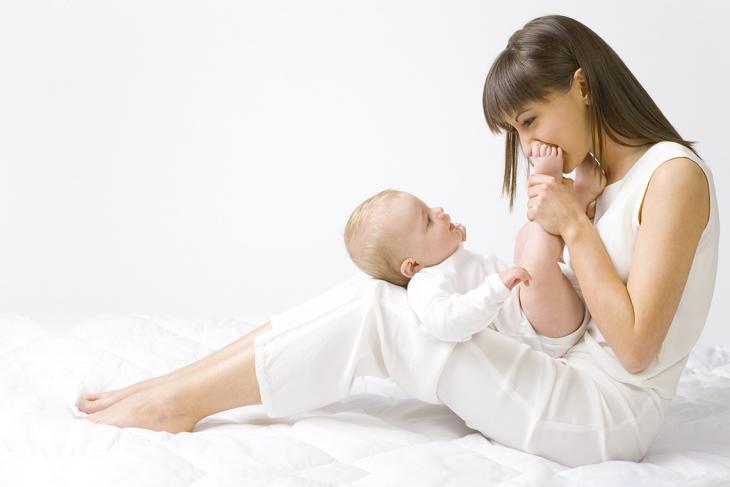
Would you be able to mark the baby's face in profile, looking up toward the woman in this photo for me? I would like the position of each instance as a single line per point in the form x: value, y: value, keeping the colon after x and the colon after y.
x: 426, y: 233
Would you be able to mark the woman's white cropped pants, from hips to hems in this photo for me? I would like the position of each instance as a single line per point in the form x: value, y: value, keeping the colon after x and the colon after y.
x: 565, y: 409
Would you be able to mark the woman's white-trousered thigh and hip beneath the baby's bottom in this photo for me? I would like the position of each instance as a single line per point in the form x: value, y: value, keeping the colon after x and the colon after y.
x: 566, y: 410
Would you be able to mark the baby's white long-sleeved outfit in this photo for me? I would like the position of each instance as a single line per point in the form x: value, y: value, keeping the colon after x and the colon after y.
x: 464, y: 294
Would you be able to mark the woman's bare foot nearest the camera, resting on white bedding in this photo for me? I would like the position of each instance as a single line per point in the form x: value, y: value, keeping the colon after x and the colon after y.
x: 153, y: 408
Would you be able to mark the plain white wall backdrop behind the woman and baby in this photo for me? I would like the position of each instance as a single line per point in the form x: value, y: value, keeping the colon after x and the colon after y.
x: 201, y: 158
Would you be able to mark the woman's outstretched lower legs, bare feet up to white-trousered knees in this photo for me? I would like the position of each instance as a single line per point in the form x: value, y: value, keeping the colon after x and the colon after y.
x: 306, y: 359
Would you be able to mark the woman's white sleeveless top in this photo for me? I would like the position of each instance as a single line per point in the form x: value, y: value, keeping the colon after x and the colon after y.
x: 617, y: 223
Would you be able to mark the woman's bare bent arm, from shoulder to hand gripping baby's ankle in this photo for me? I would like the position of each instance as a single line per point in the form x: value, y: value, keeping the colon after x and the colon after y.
x: 633, y: 318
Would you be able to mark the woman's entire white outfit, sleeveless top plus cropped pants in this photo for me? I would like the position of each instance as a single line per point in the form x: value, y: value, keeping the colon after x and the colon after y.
x: 577, y: 409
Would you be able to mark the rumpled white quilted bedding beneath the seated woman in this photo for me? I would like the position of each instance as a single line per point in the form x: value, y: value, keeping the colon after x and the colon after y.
x: 377, y: 437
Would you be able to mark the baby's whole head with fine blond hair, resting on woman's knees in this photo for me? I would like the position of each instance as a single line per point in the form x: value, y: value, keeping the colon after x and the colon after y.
x: 393, y: 234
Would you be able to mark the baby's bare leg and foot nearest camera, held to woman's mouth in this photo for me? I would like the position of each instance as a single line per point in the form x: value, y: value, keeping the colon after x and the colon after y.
x: 550, y: 303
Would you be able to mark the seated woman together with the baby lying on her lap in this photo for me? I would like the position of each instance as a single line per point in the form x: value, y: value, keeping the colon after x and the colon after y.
x: 573, y: 355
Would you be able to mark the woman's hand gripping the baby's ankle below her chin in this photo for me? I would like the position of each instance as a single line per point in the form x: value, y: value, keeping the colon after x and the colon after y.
x: 552, y: 203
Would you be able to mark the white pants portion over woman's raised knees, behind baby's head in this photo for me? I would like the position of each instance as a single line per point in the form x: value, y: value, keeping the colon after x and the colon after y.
x: 364, y: 326
